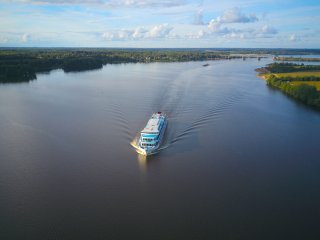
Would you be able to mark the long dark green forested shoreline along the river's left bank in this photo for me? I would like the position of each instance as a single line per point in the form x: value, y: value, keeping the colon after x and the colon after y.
x: 19, y: 65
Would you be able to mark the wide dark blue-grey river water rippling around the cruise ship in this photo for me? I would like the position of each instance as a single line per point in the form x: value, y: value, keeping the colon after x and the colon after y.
x: 240, y: 160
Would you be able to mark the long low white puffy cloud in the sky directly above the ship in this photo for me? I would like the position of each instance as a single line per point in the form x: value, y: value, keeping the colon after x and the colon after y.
x: 158, y: 31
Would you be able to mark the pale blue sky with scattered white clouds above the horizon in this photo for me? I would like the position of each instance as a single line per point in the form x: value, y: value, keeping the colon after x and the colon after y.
x: 160, y: 24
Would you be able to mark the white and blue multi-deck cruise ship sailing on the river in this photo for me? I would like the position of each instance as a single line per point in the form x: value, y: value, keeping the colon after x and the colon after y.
x: 152, y: 134
